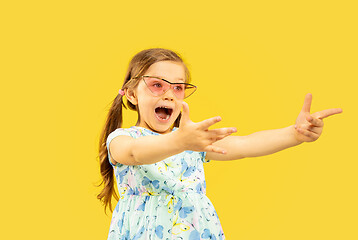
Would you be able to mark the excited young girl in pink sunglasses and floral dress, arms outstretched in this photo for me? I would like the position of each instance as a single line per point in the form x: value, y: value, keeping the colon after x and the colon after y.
x: 158, y: 163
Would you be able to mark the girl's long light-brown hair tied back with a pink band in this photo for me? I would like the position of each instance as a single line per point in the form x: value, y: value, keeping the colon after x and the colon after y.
x: 137, y: 67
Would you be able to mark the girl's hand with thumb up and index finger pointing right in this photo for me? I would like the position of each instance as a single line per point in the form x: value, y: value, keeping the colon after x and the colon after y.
x: 308, y: 126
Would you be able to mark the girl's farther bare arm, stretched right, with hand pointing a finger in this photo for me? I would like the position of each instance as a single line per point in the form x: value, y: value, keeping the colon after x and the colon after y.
x: 308, y: 128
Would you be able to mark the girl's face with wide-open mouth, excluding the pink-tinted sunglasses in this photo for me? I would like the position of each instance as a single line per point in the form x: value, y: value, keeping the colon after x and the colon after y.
x: 148, y: 104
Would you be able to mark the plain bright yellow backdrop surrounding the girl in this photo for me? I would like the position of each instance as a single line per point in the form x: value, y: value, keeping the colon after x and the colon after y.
x: 63, y: 62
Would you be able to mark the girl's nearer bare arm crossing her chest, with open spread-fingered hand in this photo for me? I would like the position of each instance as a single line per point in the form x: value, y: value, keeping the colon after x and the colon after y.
x: 151, y: 149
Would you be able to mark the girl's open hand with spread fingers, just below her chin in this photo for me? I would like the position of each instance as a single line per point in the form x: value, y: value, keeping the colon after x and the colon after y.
x: 196, y: 136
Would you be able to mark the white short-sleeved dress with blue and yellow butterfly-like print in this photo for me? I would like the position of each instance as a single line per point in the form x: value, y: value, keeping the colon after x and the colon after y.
x: 165, y: 200
